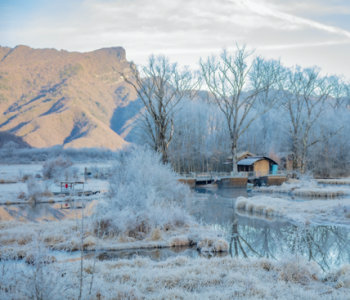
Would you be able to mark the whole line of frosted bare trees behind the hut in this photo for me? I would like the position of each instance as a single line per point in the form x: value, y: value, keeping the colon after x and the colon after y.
x: 237, y: 102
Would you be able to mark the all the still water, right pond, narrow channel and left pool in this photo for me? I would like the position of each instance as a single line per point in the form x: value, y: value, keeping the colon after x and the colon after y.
x: 248, y: 235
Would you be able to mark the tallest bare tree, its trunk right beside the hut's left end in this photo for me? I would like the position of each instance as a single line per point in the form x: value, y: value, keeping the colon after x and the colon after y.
x: 242, y: 91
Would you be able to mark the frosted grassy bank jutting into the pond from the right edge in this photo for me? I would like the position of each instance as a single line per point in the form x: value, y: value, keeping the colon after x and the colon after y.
x: 335, y: 211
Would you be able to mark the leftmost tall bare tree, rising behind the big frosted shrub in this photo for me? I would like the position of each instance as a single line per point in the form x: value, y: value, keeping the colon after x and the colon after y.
x: 162, y: 87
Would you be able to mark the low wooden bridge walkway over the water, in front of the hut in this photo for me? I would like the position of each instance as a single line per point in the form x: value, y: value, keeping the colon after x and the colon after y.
x: 222, y: 179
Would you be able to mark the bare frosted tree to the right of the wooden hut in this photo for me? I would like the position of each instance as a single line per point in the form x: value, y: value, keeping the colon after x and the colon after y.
x: 306, y: 99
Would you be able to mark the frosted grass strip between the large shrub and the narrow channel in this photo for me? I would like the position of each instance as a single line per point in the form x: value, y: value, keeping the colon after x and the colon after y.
x: 65, y: 235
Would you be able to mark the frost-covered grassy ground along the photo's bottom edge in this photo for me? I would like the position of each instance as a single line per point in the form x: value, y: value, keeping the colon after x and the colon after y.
x: 179, y: 278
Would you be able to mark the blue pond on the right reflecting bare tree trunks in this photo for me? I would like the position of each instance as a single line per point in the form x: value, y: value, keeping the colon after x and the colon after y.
x: 251, y: 236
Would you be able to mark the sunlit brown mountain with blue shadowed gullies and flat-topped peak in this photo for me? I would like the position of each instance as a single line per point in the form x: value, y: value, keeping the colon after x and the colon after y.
x: 50, y: 97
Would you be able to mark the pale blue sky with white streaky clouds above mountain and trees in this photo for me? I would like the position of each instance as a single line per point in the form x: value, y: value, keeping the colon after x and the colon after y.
x: 307, y: 32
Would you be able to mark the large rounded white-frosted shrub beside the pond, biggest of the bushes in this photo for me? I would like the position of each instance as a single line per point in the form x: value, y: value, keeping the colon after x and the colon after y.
x: 144, y: 194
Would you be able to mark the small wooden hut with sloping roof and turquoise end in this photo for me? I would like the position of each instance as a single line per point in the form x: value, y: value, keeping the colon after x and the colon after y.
x: 258, y: 164
